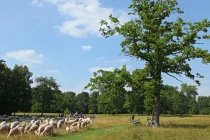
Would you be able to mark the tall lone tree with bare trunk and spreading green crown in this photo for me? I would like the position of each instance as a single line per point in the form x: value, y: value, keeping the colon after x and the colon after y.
x: 166, y: 46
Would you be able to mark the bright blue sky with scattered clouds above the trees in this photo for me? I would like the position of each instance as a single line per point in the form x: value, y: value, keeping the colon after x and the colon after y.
x: 60, y: 38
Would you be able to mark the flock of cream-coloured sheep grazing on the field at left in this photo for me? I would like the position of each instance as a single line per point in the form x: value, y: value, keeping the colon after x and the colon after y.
x: 41, y: 126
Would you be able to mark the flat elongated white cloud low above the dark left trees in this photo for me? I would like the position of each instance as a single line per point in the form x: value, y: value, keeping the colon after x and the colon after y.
x: 29, y: 56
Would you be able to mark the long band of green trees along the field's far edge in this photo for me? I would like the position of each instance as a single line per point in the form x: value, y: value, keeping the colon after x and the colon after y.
x: 111, y: 92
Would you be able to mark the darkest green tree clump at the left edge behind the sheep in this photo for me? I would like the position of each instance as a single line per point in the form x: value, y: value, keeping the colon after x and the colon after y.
x: 15, y: 89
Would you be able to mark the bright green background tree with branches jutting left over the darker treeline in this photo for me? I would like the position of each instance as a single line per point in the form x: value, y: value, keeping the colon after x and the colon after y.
x: 112, y: 85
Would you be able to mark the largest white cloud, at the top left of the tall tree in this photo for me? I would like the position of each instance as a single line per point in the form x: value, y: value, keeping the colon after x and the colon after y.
x: 84, y: 16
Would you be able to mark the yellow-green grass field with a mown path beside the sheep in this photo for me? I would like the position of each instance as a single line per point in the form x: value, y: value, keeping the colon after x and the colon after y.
x: 108, y: 127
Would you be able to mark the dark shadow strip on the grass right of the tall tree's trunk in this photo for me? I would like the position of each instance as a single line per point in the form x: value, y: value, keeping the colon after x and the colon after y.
x: 190, y: 126
